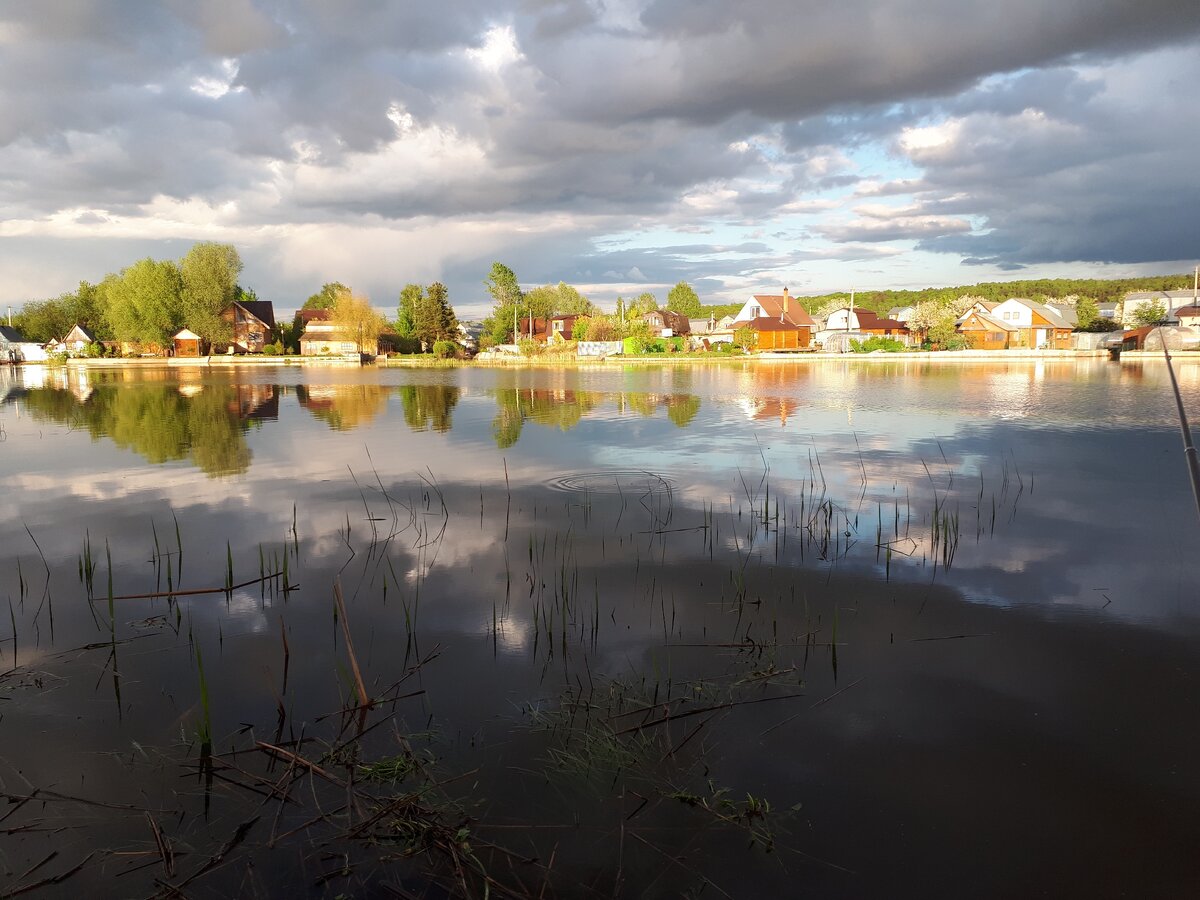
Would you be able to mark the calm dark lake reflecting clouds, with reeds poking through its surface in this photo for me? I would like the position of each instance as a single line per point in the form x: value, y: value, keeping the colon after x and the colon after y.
x: 845, y: 629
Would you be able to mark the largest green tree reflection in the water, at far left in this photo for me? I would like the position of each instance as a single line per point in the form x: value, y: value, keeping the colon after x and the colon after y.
x: 157, y: 422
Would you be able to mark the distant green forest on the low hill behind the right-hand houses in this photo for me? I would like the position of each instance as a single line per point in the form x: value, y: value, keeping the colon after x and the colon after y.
x: 1100, y: 290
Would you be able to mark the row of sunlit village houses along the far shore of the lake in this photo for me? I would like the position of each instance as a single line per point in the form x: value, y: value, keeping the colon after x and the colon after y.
x: 767, y: 325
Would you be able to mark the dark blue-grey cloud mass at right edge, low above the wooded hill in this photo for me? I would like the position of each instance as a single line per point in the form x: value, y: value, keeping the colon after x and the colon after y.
x: 1103, y: 178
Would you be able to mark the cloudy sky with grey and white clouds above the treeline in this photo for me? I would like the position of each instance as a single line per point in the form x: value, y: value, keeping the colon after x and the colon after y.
x: 621, y: 146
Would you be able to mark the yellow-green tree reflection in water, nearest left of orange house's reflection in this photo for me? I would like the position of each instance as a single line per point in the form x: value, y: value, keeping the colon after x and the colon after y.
x: 565, y: 410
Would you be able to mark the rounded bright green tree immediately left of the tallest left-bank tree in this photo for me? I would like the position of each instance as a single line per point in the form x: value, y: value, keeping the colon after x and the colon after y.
x: 143, y: 304
